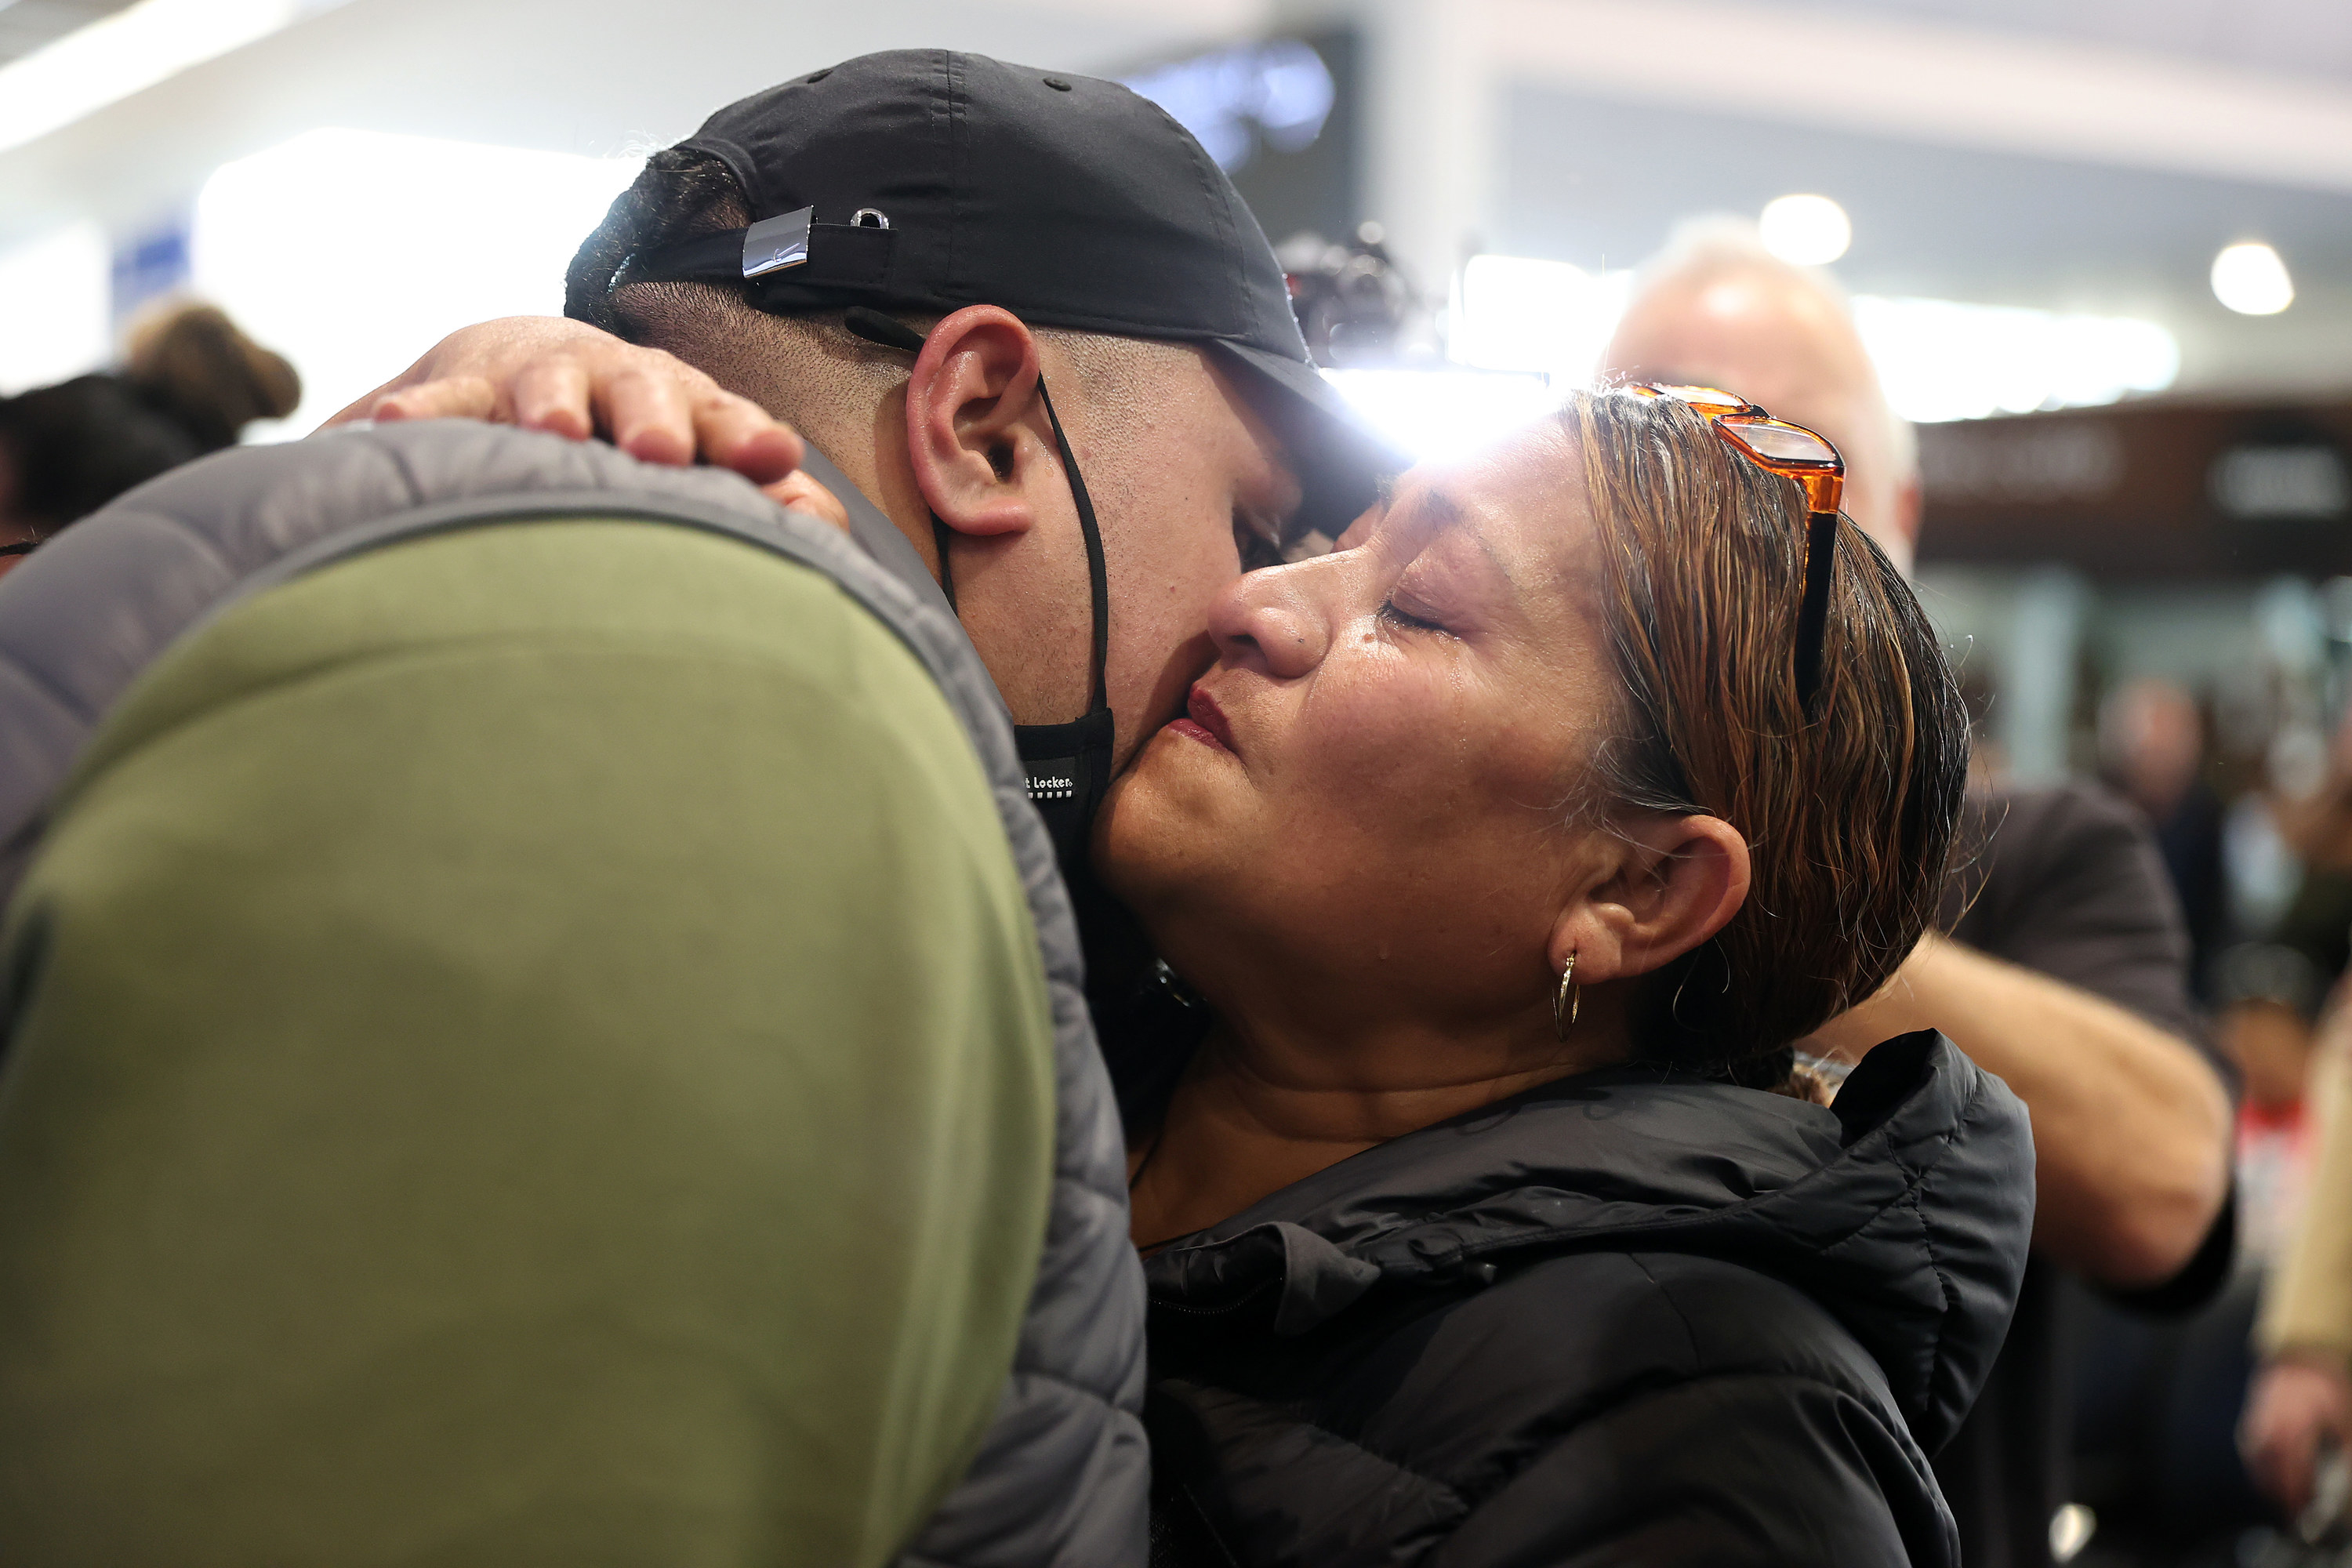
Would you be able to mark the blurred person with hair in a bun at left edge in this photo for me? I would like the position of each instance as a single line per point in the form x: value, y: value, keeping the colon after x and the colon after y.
x: 192, y: 384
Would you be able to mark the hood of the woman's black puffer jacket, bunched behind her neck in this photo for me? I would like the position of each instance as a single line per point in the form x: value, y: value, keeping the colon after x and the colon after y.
x: 1906, y: 1209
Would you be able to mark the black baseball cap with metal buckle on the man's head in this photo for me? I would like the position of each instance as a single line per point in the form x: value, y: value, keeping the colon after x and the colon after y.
x: 926, y: 180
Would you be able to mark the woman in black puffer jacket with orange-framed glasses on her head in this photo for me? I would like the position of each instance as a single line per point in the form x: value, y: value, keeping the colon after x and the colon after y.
x: 1511, y: 847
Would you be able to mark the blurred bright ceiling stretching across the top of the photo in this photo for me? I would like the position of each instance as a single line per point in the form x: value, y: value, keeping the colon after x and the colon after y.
x: 2062, y: 154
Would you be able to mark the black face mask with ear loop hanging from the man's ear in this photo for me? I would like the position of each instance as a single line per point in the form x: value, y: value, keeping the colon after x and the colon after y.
x: 1069, y: 765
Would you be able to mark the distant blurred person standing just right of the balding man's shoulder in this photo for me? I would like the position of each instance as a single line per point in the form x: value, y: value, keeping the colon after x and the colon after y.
x: 2153, y: 751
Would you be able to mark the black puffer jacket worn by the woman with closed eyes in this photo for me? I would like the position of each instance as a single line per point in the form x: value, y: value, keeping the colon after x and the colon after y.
x: 1624, y: 1320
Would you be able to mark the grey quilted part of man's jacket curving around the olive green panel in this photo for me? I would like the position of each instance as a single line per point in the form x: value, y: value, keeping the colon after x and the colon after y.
x: 1062, y: 1473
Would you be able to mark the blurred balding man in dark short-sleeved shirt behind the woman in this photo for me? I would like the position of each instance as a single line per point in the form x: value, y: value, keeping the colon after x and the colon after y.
x: 2062, y: 965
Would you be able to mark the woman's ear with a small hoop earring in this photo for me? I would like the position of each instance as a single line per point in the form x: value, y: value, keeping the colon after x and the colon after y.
x: 1664, y: 887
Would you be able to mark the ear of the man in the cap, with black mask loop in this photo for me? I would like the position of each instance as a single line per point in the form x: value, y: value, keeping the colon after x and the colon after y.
x: 973, y: 422
